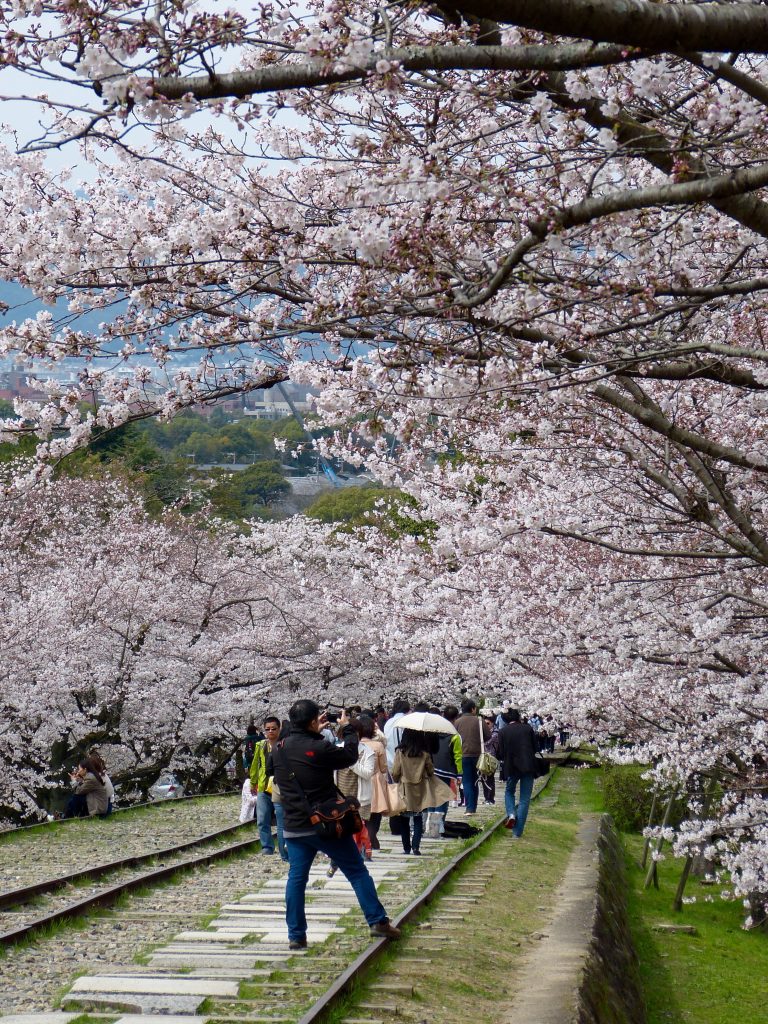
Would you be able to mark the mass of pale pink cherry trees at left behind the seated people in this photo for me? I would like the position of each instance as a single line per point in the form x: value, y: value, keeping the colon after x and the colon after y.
x: 157, y: 642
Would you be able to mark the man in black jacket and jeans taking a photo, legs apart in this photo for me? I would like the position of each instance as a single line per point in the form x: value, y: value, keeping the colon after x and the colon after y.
x: 304, y: 766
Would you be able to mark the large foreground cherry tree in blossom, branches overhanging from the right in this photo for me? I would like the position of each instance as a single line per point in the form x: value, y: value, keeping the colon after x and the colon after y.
x: 520, y: 248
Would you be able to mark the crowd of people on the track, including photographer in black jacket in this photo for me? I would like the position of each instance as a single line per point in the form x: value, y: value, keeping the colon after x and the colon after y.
x: 328, y: 781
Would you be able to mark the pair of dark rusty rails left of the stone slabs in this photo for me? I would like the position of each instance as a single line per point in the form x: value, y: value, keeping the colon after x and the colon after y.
x: 109, y: 897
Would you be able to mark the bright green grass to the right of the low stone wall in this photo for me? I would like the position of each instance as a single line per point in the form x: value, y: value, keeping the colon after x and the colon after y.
x: 714, y: 977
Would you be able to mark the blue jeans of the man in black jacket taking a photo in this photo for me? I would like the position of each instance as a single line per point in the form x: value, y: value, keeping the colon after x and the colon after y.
x: 345, y: 854
